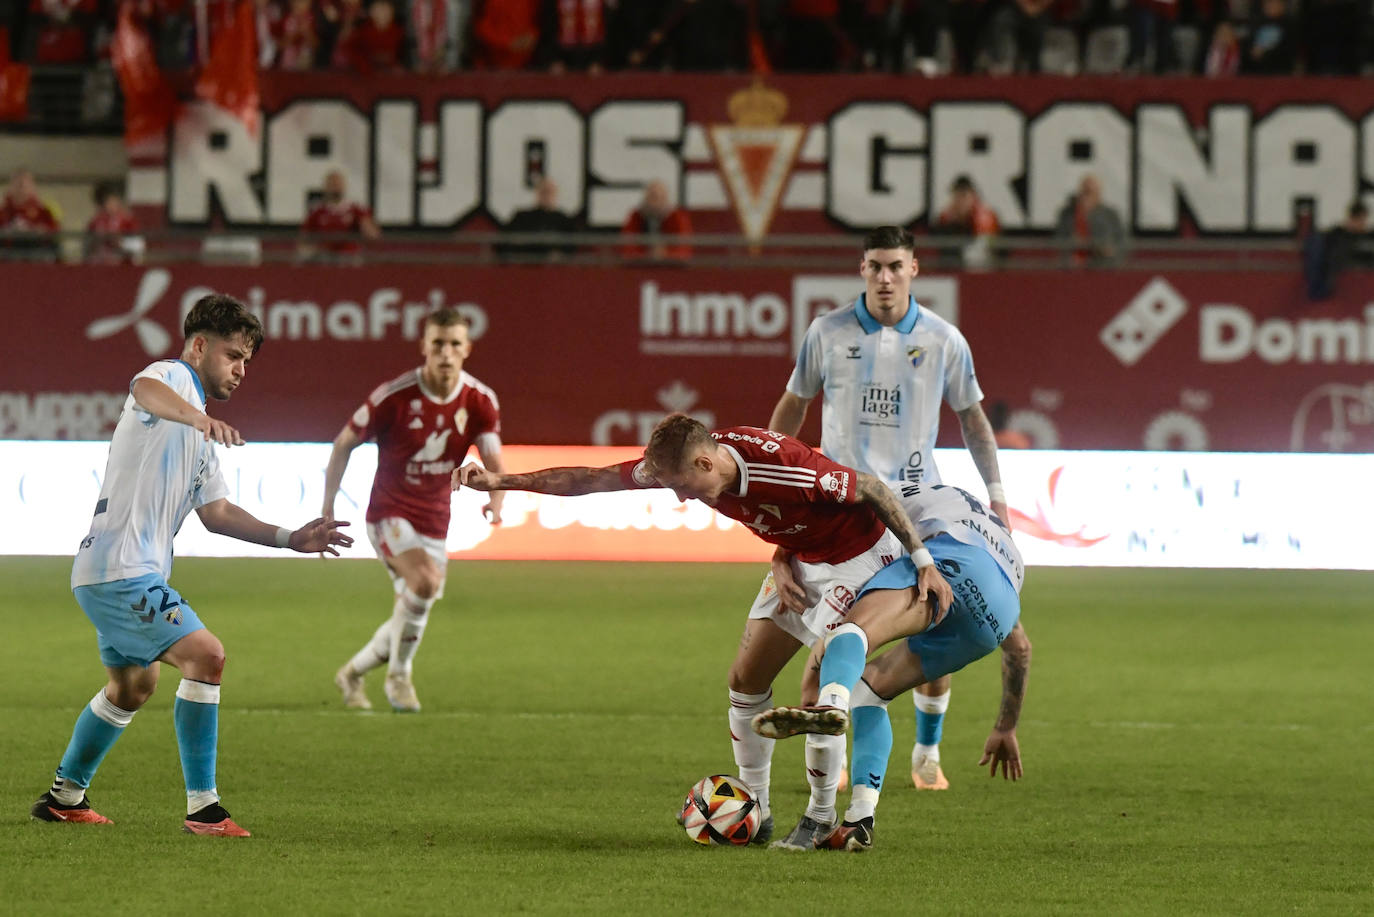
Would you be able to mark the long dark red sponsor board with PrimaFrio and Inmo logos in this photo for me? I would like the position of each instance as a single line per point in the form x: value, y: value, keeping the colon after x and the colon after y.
x: 1083, y: 360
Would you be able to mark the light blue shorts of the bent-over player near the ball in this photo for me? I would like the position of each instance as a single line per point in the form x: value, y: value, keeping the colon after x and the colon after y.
x: 984, y: 611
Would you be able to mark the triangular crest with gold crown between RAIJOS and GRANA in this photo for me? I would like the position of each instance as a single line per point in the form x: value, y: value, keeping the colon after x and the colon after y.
x: 756, y: 155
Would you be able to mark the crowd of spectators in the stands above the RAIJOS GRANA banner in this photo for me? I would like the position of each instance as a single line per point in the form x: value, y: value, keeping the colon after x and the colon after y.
x: 1215, y: 38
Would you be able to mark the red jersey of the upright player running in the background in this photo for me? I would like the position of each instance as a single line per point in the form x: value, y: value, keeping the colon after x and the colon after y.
x: 420, y: 442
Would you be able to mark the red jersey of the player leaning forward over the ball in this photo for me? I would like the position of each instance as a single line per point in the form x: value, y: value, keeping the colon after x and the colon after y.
x: 789, y: 496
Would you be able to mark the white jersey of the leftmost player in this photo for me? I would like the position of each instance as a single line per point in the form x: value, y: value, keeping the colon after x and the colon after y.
x: 159, y: 471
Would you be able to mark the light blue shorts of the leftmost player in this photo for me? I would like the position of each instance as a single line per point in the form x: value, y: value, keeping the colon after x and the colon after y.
x: 137, y: 619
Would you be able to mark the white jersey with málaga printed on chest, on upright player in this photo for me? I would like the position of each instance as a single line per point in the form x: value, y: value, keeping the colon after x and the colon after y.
x: 883, y: 388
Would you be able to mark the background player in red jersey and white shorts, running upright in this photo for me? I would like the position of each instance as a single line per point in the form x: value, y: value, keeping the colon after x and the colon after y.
x: 424, y: 423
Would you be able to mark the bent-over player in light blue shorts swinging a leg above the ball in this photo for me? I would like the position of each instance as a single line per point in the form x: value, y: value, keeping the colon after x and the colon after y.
x: 975, y: 552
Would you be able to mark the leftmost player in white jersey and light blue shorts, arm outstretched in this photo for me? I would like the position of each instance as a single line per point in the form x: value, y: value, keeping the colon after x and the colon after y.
x: 161, y: 467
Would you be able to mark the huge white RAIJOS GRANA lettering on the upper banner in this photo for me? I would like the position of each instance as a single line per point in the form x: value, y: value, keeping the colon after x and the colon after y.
x: 888, y: 162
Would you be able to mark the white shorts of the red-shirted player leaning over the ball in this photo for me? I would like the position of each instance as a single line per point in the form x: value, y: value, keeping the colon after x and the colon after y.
x: 832, y: 590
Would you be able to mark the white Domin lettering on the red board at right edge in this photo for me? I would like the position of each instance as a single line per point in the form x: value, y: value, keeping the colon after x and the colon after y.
x: 1230, y: 333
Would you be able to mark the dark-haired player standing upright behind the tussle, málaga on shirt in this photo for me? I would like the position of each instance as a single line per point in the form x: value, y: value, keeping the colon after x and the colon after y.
x: 884, y: 365
